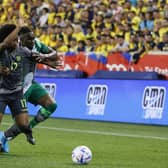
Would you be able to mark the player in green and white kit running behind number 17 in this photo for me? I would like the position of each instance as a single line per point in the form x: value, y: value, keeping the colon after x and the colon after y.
x: 33, y: 91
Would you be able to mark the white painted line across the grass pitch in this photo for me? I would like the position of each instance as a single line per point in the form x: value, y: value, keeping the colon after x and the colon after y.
x: 98, y: 132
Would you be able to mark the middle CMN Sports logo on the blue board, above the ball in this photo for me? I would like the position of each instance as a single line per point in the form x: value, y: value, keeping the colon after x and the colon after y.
x: 96, y: 99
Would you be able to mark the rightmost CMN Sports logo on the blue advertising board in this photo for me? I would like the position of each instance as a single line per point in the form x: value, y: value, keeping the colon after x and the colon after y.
x: 153, y: 102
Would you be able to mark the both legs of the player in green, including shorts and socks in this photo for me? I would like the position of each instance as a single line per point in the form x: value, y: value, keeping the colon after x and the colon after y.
x: 36, y: 95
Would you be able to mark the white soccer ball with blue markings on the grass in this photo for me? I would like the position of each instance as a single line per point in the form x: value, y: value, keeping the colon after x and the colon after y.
x: 81, y: 155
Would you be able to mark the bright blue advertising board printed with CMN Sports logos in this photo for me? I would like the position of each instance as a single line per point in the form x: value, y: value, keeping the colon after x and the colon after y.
x: 131, y: 101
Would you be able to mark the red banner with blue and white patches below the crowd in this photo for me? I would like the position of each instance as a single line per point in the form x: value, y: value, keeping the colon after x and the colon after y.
x: 90, y: 63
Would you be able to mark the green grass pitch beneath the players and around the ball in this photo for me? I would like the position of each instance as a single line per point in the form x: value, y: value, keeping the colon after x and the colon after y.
x: 113, y: 145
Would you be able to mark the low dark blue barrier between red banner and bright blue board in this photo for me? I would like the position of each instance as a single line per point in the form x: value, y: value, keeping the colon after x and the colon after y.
x: 99, y: 74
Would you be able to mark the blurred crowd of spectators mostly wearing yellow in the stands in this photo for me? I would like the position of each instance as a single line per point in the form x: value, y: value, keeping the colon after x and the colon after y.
x: 100, y: 26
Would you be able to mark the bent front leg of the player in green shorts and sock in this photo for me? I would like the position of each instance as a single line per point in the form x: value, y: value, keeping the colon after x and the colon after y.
x: 41, y: 97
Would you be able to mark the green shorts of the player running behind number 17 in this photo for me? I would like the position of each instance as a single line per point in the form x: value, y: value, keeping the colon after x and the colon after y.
x: 34, y: 93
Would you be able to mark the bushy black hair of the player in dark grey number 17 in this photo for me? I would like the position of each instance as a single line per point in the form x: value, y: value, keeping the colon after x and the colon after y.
x: 5, y: 30
